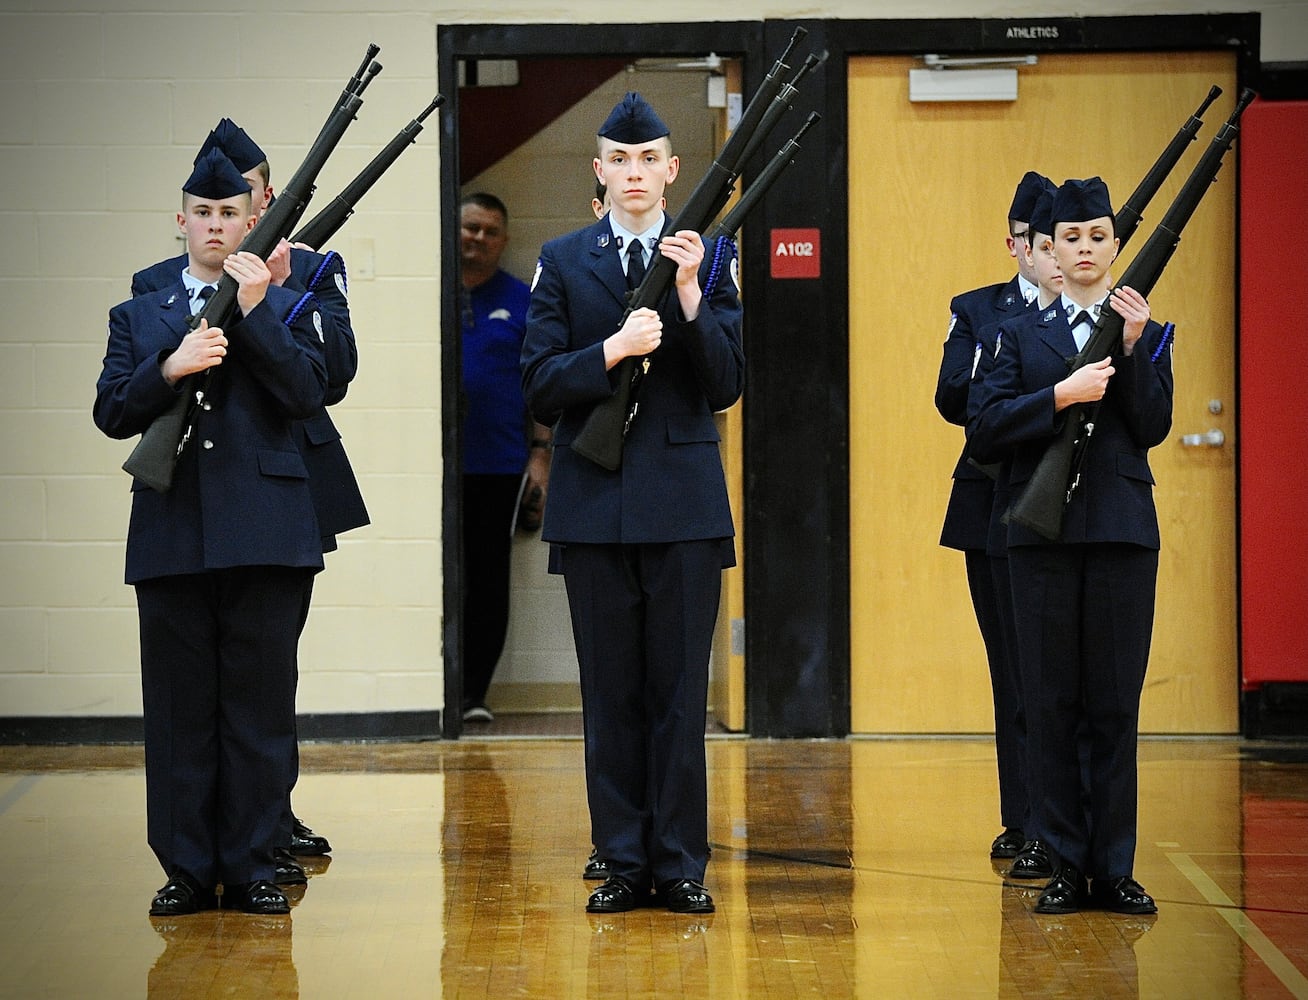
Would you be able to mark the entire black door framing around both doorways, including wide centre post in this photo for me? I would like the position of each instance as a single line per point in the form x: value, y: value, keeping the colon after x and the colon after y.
x: 796, y: 412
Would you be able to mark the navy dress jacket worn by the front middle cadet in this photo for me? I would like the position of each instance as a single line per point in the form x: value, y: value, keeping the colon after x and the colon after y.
x: 670, y: 486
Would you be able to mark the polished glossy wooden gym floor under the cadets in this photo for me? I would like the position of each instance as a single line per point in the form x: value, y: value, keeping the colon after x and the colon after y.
x: 852, y: 869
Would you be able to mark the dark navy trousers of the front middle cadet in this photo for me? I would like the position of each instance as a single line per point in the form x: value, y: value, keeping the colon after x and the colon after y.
x: 643, y: 623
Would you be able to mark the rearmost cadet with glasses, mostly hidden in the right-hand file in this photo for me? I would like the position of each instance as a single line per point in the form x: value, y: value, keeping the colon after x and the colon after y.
x: 967, y: 518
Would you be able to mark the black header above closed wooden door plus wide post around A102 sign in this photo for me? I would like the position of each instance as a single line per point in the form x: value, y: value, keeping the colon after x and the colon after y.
x: 797, y: 543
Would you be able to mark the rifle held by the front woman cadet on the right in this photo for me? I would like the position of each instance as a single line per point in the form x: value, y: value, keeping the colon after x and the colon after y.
x: 1058, y: 475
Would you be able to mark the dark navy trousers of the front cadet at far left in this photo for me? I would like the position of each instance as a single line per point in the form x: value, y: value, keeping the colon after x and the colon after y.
x: 219, y: 693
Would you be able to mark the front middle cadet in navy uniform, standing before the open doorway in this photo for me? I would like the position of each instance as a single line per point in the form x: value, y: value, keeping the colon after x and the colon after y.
x: 642, y: 550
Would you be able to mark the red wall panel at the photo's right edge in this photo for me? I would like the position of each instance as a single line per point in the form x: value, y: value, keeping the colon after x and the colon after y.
x: 1273, y: 148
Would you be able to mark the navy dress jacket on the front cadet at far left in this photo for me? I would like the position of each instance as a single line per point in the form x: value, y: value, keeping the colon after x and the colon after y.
x: 241, y: 491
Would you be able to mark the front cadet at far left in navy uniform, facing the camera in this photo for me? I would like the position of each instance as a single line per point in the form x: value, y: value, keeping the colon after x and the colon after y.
x: 223, y: 561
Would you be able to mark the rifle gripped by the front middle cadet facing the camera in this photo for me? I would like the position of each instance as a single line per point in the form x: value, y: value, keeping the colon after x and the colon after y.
x: 602, y: 436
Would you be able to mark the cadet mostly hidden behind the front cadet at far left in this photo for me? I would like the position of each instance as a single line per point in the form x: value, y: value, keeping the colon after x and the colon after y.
x: 337, y: 496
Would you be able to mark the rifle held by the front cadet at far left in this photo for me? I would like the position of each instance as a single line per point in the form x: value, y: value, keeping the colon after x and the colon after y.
x: 154, y: 461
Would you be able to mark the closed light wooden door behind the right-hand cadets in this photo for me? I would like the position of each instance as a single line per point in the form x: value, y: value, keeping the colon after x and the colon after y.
x: 931, y: 185
